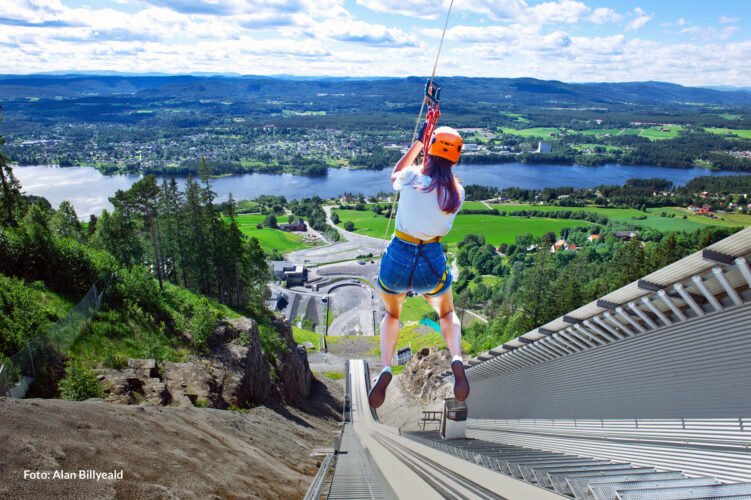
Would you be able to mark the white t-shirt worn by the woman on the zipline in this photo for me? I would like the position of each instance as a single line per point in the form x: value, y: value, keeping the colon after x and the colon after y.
x: 419, y: 214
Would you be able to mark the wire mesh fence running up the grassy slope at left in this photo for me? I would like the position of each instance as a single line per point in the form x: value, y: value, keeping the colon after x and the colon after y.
x: 20, y: 370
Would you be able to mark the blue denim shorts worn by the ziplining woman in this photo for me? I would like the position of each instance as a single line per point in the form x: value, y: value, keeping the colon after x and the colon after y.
x: 404, y: 268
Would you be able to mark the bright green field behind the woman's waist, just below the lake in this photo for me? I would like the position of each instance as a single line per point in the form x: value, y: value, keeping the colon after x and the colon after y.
x: 496, y: 229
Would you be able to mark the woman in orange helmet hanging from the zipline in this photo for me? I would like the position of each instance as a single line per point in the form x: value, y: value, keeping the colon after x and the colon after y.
x: 414, y: 261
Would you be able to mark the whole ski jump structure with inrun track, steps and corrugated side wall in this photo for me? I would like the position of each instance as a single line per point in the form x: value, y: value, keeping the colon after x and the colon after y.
x: 643, y: 394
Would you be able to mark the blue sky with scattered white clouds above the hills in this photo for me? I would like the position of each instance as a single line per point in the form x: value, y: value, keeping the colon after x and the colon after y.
x: 688, y: 42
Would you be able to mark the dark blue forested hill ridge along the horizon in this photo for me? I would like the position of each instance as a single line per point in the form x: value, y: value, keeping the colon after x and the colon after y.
x: 520, y: 91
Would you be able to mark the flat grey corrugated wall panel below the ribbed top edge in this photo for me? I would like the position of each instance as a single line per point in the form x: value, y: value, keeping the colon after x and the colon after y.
x: 697, y: 369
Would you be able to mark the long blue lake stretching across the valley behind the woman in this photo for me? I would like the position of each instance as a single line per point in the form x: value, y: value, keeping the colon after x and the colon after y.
x: 88, y: 190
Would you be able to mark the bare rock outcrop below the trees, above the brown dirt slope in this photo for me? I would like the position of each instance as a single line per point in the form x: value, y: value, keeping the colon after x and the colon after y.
x: 231, y: 375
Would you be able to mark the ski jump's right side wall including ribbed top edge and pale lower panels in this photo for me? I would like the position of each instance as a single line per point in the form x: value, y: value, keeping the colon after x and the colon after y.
x: 655, y: 373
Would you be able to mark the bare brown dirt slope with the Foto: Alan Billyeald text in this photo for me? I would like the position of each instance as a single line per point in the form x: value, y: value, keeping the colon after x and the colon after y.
x: 164, y: 452
